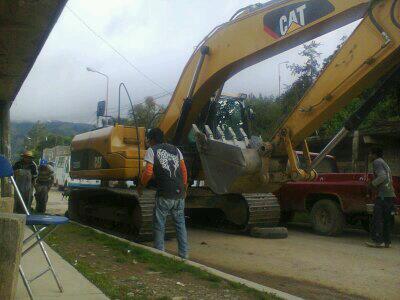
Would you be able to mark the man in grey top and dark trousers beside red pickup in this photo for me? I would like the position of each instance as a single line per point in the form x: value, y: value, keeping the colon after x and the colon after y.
x: 384, y: 204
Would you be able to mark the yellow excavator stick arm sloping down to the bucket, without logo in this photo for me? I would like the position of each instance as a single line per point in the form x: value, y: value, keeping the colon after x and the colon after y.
x: 371, y: 54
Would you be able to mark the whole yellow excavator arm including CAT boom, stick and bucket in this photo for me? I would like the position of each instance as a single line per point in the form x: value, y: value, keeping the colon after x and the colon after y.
x: 370, y: 54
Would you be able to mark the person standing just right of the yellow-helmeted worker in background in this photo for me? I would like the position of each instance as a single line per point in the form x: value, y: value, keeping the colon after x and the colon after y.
x: 43, y: 184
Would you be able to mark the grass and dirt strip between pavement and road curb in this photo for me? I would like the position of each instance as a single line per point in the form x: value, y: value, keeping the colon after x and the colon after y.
x: 115, y: 261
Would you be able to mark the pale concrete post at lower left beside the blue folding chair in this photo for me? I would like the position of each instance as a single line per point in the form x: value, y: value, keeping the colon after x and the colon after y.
x: 11, y: 236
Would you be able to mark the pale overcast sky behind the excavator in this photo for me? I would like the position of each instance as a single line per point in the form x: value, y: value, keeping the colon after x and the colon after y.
x: 157, y: 36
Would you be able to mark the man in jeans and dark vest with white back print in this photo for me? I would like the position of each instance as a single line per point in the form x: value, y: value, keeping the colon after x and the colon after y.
x: 165, y: 163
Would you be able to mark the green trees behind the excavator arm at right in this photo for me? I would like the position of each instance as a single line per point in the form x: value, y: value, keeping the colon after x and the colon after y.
x: 271, y: 111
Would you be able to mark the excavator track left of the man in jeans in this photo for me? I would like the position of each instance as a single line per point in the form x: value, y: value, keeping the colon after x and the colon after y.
x: 117, y: 211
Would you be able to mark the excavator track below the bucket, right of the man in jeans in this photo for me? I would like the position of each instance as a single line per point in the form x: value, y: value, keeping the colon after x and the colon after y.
x: 234, y: 213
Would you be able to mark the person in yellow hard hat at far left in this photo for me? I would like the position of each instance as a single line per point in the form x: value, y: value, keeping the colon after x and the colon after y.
x: 25, y: 171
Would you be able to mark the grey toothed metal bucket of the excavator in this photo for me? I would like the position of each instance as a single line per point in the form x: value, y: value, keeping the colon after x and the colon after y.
x: 230, y: 166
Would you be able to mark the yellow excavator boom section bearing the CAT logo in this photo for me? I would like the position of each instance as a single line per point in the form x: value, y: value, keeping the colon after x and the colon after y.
x: 256, y: 34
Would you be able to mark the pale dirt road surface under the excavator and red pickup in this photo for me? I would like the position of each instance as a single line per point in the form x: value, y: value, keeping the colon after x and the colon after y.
x: 306, y: 265
